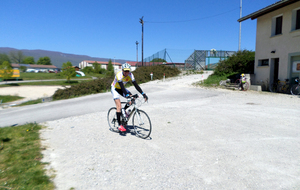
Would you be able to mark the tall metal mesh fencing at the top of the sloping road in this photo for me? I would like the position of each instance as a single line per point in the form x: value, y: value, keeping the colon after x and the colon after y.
x: 188, y: 59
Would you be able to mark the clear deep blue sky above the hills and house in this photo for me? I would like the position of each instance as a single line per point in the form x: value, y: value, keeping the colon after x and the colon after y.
x: 111, y: 28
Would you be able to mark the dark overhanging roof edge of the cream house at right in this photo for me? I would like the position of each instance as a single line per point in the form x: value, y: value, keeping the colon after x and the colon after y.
x: 268, y: 9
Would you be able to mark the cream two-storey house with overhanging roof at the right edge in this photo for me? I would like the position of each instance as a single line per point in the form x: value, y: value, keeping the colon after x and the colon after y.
x: 277, y: 52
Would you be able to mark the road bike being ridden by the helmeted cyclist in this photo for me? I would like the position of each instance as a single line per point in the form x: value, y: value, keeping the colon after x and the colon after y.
x: 141, y: 122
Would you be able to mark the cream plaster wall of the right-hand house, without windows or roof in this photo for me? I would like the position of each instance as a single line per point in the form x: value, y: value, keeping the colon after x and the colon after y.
x: 285, y: 45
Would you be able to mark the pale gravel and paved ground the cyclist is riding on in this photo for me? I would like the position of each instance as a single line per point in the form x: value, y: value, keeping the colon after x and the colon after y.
x: 201, y: 139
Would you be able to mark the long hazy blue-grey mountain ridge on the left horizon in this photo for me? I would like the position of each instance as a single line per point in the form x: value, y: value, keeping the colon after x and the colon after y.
x: 57, y: 58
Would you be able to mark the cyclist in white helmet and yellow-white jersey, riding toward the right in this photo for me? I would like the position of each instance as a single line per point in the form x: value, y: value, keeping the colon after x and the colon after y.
x: 118, y: 88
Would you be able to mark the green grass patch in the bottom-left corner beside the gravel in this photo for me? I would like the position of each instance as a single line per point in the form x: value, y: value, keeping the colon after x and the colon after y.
x: 20, y: 160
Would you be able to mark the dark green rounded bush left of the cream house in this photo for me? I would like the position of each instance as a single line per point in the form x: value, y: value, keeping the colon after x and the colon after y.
x: 239, y: 62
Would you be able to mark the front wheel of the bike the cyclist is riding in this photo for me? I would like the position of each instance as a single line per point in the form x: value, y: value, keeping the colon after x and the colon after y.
x: 142, y: 124
